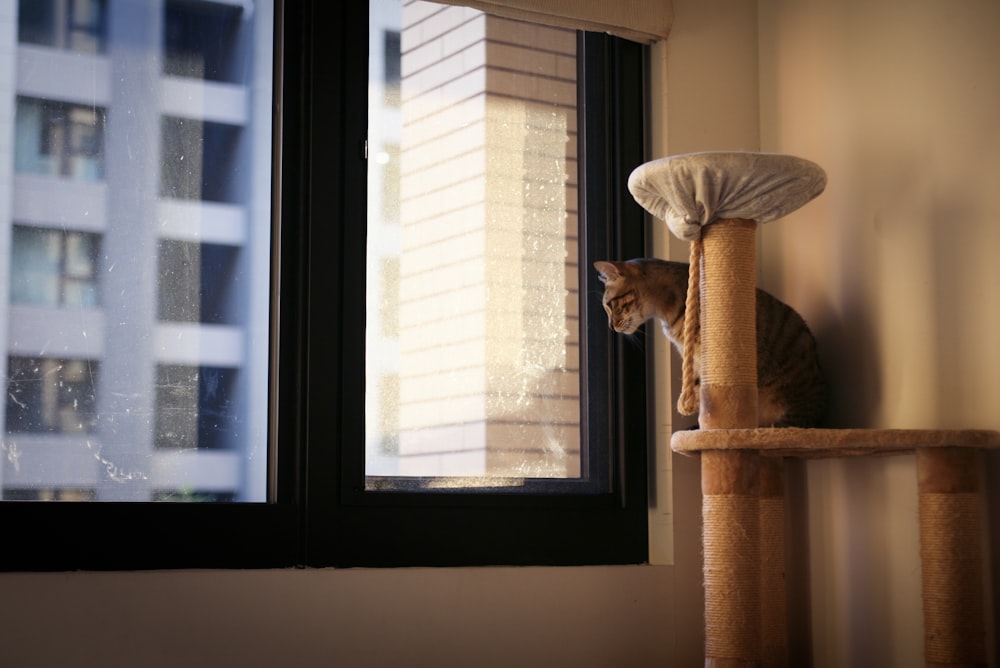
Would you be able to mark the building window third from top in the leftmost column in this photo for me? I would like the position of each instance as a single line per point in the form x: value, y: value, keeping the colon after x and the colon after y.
x: 54, y: 267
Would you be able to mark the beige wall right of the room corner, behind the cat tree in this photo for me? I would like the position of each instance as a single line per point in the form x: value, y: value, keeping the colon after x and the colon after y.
x: 894, y: 266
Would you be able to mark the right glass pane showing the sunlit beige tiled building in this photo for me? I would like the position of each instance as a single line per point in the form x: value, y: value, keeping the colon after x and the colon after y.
x: 473, y: 331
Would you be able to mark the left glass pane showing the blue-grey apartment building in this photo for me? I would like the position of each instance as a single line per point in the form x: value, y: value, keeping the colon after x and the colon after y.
x: 135, y: 241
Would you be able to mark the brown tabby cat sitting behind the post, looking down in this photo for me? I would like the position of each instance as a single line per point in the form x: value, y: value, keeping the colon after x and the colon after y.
x: 791, y: 386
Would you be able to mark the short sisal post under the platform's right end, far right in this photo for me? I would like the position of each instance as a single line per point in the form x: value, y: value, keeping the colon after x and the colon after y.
x: 951, y: 557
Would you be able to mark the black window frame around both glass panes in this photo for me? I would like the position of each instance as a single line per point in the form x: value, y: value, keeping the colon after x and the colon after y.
x: 319, y: 515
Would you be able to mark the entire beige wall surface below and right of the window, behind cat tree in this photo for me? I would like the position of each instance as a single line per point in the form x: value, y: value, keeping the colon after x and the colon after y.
x: 893, y: 267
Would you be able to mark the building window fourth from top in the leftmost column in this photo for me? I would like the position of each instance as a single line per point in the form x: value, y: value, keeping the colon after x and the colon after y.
x: 47, y: 394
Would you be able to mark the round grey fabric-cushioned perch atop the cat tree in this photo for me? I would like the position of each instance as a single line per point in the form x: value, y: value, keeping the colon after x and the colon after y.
x: 690, y: 191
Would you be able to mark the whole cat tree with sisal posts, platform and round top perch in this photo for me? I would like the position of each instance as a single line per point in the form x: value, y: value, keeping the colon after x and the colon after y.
x: 716, y: 201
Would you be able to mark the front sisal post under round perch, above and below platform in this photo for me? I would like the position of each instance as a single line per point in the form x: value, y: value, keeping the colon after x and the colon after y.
x: 730, y: 479
